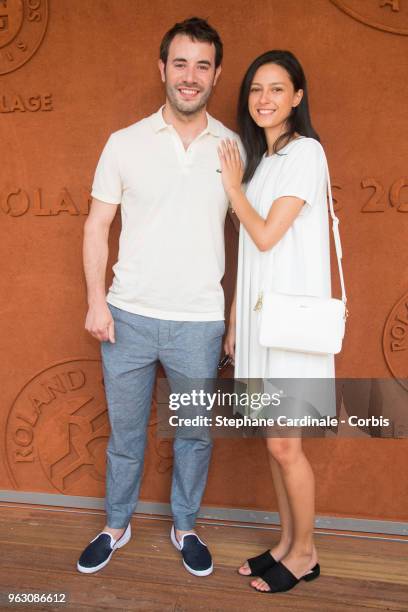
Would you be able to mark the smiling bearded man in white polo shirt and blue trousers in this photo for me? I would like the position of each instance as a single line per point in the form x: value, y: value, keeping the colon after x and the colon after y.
x: 166, y: 303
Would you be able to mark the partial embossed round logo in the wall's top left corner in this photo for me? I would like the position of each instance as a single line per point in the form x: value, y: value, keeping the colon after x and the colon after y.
x: 22, y: 28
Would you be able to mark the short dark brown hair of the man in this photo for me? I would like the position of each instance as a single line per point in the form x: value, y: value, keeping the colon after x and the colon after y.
x: 197, y: 29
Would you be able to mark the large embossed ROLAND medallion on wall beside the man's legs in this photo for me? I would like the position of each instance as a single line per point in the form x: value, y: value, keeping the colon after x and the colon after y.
x: 57, y: 430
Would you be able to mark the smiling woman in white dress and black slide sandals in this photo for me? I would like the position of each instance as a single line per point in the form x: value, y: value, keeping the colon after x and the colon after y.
x: 284, y: 245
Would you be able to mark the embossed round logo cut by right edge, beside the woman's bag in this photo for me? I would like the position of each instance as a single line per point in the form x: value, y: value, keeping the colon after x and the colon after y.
x: 395, y: 341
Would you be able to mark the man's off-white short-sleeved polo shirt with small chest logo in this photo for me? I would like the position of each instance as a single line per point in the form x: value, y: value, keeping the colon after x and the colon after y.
x: 173, y: 206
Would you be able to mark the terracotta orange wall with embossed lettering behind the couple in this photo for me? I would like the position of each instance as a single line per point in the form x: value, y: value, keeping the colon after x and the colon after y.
x: 73, y: 71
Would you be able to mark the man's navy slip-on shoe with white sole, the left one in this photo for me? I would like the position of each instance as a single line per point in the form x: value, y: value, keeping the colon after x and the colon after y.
x: 100, y: 550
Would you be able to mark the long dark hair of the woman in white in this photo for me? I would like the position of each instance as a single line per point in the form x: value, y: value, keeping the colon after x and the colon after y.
x: 253, y: 136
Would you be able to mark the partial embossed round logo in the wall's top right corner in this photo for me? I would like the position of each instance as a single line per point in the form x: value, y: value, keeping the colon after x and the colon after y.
x: 386, y: 15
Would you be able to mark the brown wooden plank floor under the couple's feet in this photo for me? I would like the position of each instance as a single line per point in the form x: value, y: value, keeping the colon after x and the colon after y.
x: 40, y: 546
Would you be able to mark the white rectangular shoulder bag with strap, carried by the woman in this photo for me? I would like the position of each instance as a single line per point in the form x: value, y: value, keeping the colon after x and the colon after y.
x: 305, y: 323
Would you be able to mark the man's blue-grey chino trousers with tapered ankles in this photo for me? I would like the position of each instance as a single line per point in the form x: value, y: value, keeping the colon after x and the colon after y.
x: 186, y: 350
